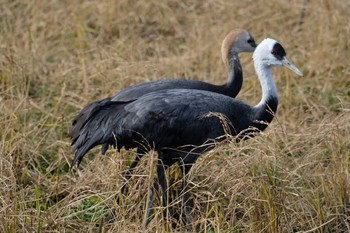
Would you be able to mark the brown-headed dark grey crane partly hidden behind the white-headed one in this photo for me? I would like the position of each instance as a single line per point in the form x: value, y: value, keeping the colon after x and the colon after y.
x: 236, y: 41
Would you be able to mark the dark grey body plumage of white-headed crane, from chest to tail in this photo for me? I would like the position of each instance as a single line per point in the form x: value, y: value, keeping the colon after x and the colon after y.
x: 169, y: 119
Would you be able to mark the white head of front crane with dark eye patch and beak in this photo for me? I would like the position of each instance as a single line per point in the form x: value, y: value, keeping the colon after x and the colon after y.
x: 271, y: 53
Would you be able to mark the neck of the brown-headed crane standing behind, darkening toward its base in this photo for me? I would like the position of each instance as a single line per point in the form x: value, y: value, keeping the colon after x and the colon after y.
x: 235, y: 76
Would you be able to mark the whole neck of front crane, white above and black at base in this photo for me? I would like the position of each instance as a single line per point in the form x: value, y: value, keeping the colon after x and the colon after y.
x: 267, y: 107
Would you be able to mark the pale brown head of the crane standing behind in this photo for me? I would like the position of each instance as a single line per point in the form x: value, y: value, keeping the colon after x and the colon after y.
x: 236, y: 41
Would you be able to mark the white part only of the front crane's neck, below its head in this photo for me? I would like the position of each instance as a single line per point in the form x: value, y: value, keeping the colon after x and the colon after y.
x: 267, y: 84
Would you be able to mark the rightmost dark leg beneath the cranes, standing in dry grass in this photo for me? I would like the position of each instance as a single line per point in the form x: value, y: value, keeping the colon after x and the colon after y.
x: 187, y: 208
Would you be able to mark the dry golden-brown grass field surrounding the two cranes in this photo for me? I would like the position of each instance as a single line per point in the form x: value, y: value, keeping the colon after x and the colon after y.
x: 57, y: 56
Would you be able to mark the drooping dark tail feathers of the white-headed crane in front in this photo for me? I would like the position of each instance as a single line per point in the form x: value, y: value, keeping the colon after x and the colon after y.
x: 101, y: 127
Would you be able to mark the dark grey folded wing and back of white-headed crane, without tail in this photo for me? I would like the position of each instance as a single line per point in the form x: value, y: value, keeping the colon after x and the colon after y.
x: 174, y: 118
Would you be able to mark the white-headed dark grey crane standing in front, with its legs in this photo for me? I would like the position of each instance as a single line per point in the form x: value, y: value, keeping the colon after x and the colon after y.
x: 178, y: 123
